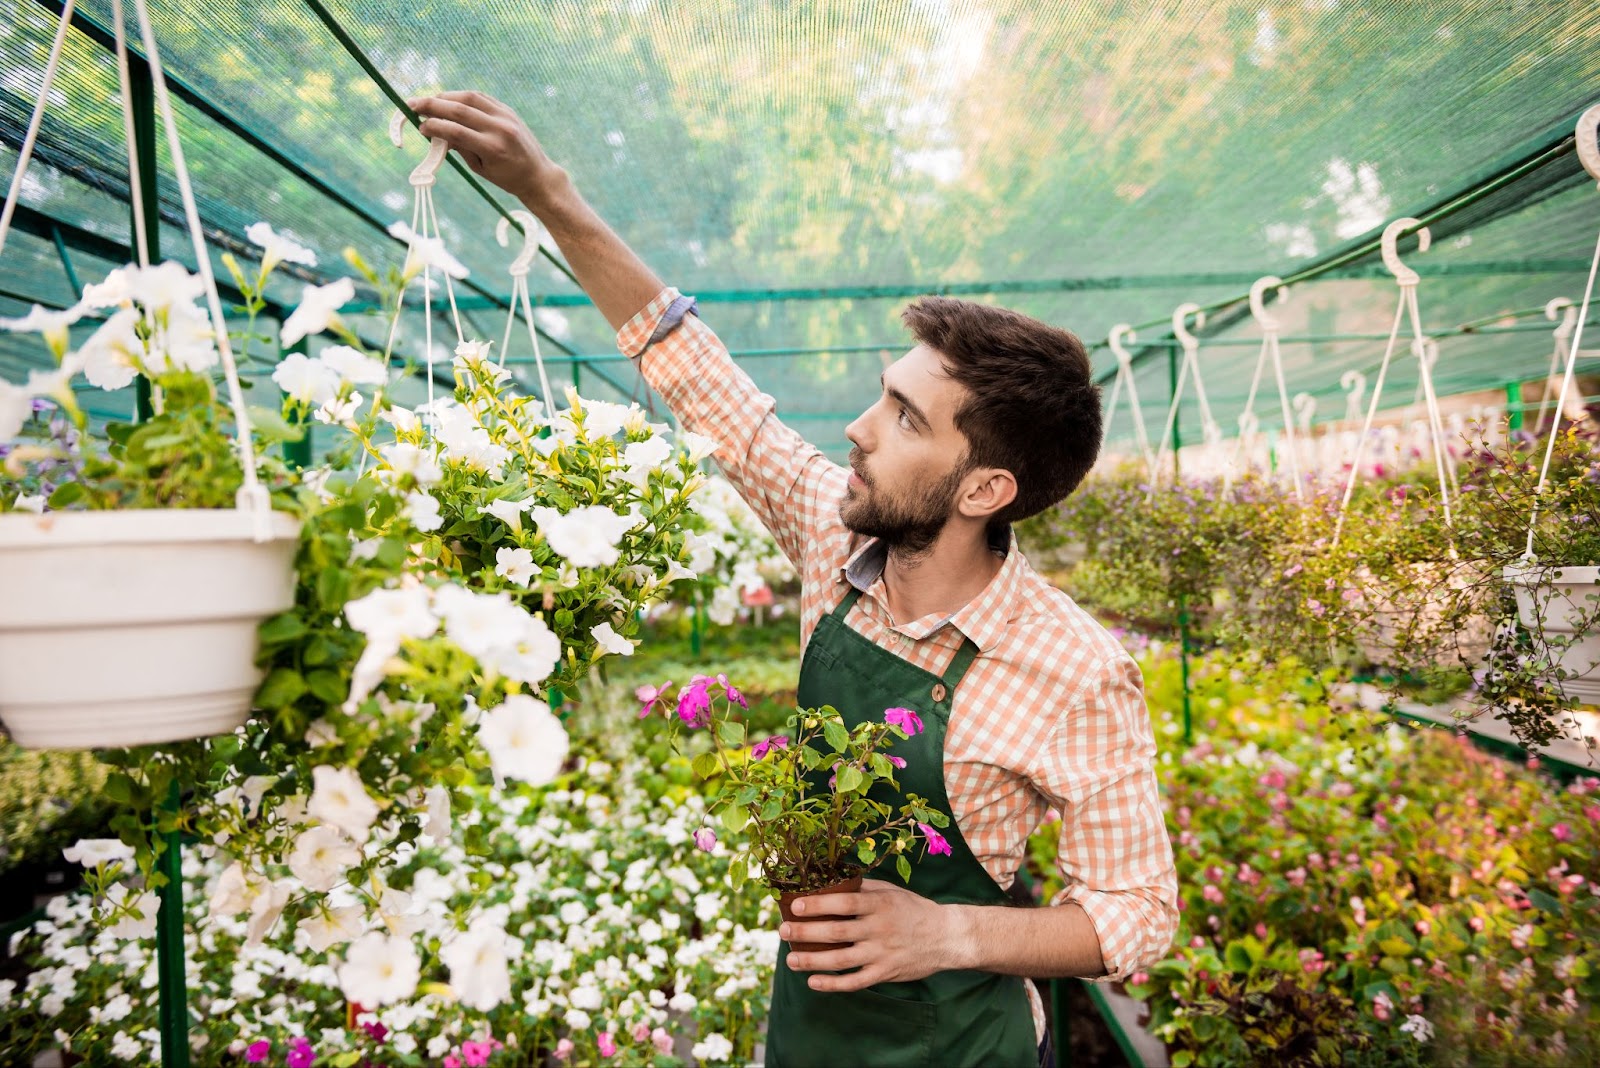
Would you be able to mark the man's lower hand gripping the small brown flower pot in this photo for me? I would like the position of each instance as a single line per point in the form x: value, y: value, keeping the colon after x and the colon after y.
x: 898, y: 936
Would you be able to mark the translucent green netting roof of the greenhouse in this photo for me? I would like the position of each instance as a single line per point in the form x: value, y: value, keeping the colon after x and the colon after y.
x: 806, y: 169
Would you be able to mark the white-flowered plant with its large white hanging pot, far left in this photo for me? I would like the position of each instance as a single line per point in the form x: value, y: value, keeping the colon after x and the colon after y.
x: 138, y: 565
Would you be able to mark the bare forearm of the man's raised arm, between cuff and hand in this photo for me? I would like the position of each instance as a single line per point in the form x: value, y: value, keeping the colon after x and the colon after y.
x: 610, y: 273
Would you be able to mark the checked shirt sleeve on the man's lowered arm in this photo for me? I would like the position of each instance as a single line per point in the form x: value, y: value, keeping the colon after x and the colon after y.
x: 1114, y: 853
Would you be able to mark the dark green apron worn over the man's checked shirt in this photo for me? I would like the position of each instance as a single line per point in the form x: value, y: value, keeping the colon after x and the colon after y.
x: 950, y: 1019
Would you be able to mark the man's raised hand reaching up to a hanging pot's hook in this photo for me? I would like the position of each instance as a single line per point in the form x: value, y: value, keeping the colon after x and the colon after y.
x: 495, y: 143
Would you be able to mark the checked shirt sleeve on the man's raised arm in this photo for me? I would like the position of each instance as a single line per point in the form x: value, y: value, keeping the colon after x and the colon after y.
x: 790, y: 484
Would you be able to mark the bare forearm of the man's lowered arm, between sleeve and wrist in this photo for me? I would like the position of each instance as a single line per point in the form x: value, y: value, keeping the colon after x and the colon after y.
x: 1036, y: 942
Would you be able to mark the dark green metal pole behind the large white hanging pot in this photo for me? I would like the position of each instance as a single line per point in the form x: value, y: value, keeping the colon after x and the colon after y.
x: 174, y: 1011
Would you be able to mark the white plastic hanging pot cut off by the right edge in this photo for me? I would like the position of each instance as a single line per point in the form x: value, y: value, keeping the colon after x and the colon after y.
x: 1562, y: 605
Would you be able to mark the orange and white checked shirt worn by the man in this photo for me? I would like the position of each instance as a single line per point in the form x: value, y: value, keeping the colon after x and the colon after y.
x: 1050, y: 715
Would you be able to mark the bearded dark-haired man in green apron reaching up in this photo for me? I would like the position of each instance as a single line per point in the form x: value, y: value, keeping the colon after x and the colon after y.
x: 914, y: 596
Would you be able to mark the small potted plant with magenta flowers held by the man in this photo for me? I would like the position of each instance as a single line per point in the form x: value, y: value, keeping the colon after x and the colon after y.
x: 818, y: 808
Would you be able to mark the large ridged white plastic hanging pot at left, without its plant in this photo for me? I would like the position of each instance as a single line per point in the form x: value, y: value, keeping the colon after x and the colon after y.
x: 135, y: 628
